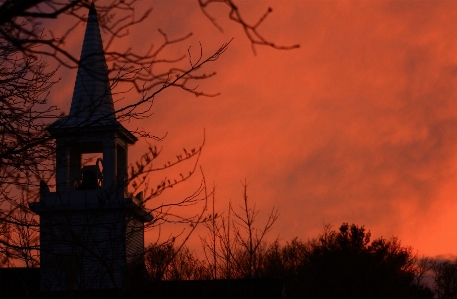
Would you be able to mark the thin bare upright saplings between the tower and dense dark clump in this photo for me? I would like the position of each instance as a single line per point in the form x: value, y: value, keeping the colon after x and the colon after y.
x: 241, y: 244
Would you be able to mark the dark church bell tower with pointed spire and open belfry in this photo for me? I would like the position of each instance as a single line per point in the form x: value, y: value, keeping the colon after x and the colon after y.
x: 91, y: 228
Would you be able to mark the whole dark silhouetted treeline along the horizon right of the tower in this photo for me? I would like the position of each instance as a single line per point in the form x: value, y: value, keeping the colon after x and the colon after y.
x: 343, y: 263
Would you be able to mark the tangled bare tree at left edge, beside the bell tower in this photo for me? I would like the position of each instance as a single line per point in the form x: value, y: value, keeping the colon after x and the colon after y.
x: 24, y: 150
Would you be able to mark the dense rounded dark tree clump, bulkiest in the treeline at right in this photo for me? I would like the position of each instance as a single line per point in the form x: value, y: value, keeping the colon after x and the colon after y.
x: 345, y: 264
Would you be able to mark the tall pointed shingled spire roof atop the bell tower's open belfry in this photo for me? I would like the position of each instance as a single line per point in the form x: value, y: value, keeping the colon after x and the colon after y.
x: 92, y: 102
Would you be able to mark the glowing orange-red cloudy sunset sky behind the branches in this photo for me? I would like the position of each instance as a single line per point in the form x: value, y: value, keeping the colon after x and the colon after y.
x: 359, y: 125
